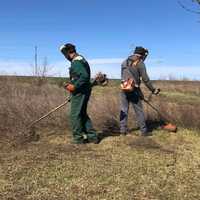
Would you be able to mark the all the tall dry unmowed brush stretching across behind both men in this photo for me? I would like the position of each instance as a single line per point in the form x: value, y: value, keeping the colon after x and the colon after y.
x: 23, y: 102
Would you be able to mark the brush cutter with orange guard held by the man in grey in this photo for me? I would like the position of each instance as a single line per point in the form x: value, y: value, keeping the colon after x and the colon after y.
x: 167, y: 125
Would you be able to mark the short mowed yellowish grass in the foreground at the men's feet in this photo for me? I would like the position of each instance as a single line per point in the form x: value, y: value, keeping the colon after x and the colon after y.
x: 165, y: 166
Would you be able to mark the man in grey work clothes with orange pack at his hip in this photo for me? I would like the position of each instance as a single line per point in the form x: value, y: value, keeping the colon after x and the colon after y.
x: 133, y: 68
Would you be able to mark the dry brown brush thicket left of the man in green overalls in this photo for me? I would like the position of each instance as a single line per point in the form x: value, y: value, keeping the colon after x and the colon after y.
x: 21, y: 103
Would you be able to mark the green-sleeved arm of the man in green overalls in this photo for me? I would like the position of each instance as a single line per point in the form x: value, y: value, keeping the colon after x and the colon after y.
x: 79, y: 75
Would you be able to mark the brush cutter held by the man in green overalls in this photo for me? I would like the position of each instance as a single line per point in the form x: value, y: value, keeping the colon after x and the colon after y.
x: 100, y: 79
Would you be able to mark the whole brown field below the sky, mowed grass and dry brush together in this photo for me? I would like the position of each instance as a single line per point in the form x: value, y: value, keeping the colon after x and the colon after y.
x: 165, y: 166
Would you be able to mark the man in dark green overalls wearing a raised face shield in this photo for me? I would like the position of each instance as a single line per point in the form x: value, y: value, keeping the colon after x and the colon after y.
x: 80, y: 89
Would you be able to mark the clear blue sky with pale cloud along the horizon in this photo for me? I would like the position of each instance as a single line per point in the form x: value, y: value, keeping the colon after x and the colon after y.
x: 105, y: 32
